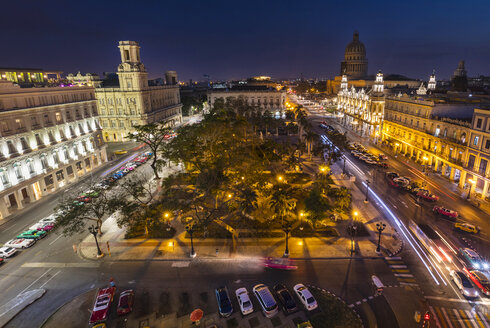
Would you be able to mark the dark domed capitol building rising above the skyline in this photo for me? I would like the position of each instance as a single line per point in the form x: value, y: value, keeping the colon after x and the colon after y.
x: 355, y: 61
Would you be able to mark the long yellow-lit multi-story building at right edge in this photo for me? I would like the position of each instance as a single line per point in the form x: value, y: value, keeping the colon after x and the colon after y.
x: 450, y: 138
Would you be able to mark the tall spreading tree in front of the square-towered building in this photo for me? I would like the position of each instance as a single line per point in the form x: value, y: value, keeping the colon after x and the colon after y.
x: 154, y: 135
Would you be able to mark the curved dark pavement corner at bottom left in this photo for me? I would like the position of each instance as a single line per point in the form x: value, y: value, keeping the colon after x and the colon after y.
x: 75, y: 313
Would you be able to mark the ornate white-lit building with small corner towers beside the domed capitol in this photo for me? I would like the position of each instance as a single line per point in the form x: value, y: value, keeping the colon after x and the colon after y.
x: 360, y: 109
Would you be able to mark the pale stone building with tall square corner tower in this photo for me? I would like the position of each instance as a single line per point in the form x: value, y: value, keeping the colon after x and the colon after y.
x: 134, y: 102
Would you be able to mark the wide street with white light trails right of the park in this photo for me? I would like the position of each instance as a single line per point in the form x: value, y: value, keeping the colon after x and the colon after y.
x: 448, y: 306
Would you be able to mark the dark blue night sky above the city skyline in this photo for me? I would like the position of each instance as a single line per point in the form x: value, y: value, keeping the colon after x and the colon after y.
x: 236, y: 39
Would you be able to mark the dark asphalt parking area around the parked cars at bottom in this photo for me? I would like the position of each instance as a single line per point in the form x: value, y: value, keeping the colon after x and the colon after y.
x: 172, y: 307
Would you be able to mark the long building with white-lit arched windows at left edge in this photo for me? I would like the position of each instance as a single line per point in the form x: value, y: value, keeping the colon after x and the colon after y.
x: 49, y: 137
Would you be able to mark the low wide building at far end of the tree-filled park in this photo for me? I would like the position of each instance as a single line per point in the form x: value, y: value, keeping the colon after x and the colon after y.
x: 261, y: 97
